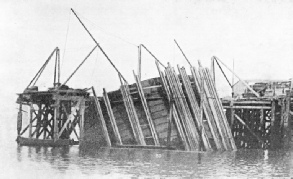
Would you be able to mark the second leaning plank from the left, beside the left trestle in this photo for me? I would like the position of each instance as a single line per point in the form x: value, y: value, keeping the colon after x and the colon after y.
x: 112, y: 118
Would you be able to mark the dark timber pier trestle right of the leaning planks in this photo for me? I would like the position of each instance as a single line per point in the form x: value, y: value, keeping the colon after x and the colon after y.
x: 264, y: 123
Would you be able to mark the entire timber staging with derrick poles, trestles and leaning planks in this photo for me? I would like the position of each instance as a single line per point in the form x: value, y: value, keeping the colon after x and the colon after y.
x: 177, y: 111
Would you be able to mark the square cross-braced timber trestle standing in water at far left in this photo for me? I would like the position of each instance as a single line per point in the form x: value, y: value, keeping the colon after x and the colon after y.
x: 51, y: 117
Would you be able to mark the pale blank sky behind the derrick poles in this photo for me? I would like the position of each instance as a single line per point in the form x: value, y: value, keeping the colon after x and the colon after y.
x: 257, y: 35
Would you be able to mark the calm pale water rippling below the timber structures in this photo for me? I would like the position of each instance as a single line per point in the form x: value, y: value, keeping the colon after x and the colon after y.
x: 92, y: 162
